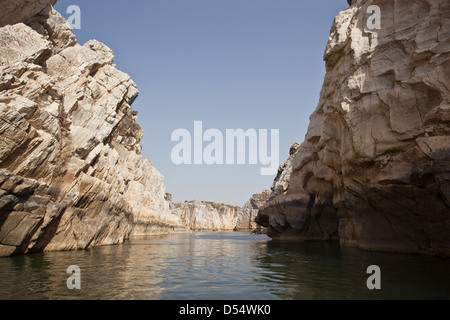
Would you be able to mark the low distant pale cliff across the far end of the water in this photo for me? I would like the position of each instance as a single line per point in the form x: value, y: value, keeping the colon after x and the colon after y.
x: 206, y: 216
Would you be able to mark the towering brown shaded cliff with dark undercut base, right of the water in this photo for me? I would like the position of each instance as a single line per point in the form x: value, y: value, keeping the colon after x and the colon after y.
x: 374, y: 169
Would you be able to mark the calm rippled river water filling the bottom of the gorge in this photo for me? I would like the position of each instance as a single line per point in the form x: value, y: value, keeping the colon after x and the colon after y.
x: 219, y: 265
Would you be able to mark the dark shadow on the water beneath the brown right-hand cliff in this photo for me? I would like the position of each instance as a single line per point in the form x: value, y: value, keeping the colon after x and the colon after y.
x: 327, y: 271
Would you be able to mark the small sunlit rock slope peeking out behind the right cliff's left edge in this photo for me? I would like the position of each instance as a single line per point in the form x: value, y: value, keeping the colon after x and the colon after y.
x: 246, y: 219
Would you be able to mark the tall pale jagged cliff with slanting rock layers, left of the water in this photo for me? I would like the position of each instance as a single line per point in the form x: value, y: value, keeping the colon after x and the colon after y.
x: 71, y: 172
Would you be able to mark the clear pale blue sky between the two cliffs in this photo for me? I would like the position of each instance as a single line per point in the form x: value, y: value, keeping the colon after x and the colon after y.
x: 229, y: 63
